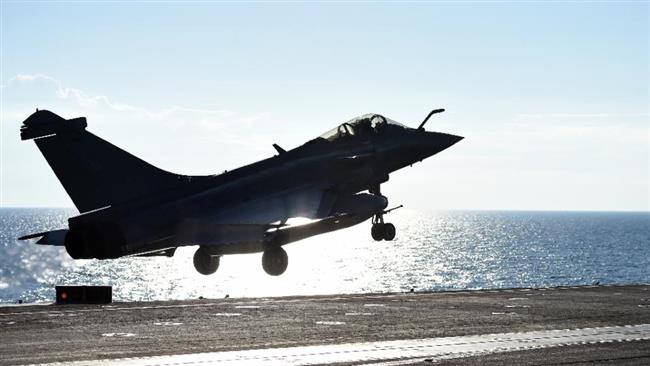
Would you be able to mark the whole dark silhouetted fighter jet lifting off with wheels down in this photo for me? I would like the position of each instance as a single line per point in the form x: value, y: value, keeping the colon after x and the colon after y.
x: 131, y: 208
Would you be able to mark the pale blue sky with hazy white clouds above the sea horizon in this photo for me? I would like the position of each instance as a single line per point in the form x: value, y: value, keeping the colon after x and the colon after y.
x: 552, y: 98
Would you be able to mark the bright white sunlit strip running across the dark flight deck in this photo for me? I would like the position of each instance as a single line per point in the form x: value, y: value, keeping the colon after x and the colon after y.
x: 393, y: 351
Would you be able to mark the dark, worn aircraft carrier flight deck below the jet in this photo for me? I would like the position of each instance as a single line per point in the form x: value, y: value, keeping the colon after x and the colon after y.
x: 563, y: 325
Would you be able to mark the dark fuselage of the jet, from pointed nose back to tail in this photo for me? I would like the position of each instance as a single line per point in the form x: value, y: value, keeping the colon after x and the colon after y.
x: 306, y: 182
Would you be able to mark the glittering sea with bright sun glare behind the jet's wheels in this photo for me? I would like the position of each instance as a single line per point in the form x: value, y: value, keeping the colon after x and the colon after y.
x: 432, y: 251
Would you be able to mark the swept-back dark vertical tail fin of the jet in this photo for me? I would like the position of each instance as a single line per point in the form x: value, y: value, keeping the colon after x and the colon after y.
x: 94, y: 173
